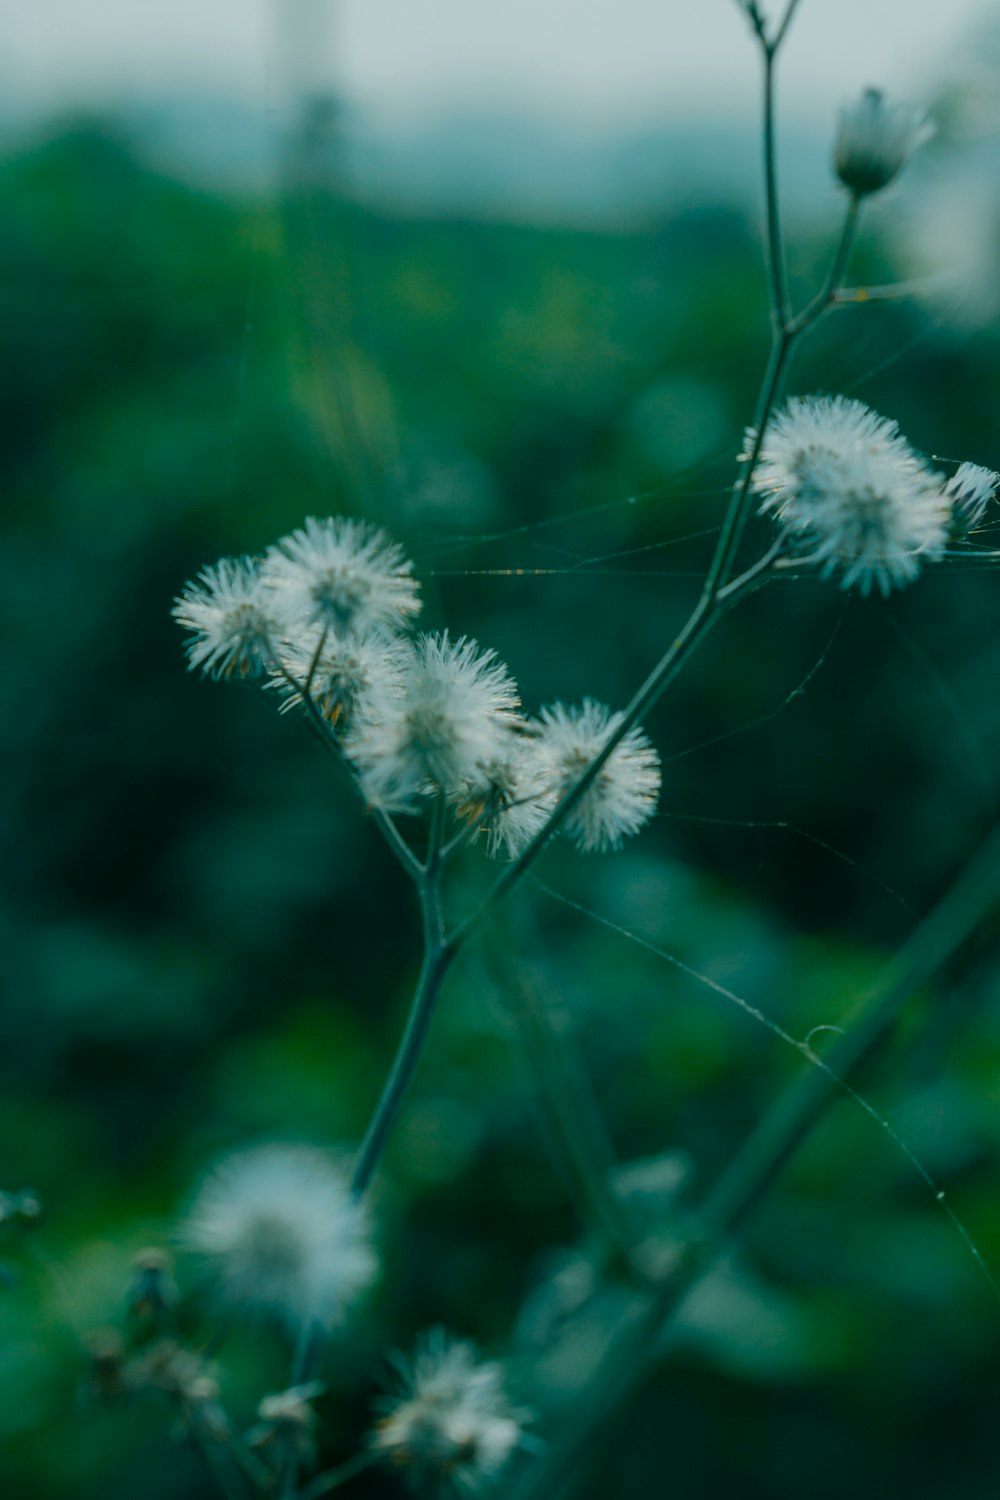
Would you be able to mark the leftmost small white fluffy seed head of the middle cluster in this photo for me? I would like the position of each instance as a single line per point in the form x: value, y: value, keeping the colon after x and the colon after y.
x: 230, y: 614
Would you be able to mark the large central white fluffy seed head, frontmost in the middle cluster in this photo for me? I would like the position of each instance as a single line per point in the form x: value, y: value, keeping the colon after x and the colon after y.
x: 442, y: 733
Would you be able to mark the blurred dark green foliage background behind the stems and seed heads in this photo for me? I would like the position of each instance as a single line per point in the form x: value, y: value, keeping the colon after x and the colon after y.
x: 208, y: 946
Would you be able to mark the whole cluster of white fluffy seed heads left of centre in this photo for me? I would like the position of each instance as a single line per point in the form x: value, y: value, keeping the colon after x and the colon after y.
x: 326, y: 619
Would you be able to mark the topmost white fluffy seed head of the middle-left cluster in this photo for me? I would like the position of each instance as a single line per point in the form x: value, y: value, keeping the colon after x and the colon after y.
x: 344, y: 575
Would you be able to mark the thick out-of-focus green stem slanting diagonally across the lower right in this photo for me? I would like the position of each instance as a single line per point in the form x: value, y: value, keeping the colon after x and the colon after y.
x: 752, y: 1174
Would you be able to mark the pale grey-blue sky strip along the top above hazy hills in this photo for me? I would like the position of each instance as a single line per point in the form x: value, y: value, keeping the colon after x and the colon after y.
x: 612, y: 62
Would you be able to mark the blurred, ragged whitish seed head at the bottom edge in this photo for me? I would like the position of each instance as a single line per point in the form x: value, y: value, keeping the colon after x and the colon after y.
x: 452, y: 1421
